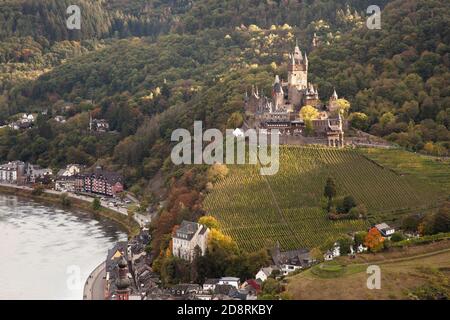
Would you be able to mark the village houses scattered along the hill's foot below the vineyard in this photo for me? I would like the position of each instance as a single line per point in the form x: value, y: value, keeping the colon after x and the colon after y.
x: 129, y: 275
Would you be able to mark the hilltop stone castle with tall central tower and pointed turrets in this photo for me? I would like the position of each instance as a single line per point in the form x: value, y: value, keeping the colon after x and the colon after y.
x: 281, y: 111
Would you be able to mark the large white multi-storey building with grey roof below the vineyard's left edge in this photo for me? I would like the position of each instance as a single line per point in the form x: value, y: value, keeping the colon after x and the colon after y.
x: 187, y: 237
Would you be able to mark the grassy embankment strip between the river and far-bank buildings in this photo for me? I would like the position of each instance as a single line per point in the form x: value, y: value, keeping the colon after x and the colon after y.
x: 53, y: 197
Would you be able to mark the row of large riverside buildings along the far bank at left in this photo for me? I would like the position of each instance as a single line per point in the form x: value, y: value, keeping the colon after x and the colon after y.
x: 74, y: 178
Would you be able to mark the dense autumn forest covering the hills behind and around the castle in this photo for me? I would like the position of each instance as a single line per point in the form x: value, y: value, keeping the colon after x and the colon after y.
x: 149, y: 67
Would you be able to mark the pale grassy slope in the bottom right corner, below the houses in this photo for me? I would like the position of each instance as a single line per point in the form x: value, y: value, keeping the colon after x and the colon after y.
x: 408, y: 278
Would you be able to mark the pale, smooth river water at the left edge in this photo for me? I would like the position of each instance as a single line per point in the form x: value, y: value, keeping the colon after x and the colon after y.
x: 47, y: 252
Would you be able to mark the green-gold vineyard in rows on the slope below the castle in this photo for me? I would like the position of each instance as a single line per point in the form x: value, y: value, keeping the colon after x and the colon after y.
x: 258, y: 211
